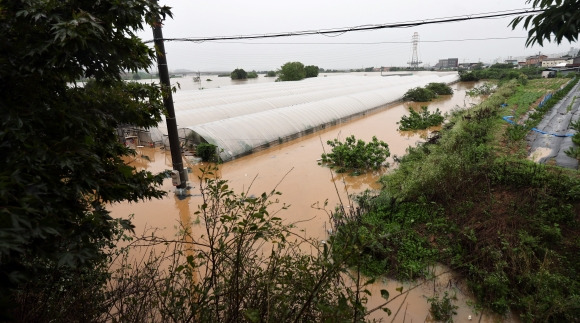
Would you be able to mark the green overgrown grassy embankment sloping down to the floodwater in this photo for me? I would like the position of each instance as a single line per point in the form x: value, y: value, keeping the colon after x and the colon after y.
x: 474, y: 202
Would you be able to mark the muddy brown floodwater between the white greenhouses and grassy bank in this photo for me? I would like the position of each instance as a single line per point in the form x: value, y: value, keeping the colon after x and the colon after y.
x: 293, y: 168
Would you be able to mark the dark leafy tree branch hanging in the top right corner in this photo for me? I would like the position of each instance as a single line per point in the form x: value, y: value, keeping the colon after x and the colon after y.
x: 559, y: 19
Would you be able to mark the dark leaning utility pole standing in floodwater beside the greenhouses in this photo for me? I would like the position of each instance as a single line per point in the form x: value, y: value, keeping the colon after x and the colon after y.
x: 168, y: 102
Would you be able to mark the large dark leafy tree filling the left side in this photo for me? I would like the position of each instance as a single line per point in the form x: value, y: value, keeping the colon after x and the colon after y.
x: 61, y: 160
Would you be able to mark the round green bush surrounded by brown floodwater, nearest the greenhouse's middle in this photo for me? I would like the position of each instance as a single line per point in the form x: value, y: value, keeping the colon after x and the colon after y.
x: 356, y: 155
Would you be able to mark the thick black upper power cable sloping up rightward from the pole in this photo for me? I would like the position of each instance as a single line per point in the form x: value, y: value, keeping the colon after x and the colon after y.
x: 339, y: 31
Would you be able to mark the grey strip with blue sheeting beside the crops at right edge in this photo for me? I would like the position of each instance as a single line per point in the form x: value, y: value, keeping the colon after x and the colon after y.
x: 551, y: 145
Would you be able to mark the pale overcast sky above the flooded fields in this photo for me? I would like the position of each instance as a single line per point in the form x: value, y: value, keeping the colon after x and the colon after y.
x: 233, y: 17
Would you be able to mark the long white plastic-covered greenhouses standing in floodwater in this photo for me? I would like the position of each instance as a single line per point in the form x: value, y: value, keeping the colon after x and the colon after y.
x: 242, y: 119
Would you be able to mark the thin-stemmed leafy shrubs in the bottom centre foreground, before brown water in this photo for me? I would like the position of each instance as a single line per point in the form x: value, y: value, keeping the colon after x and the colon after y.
x: 247, y: 266
